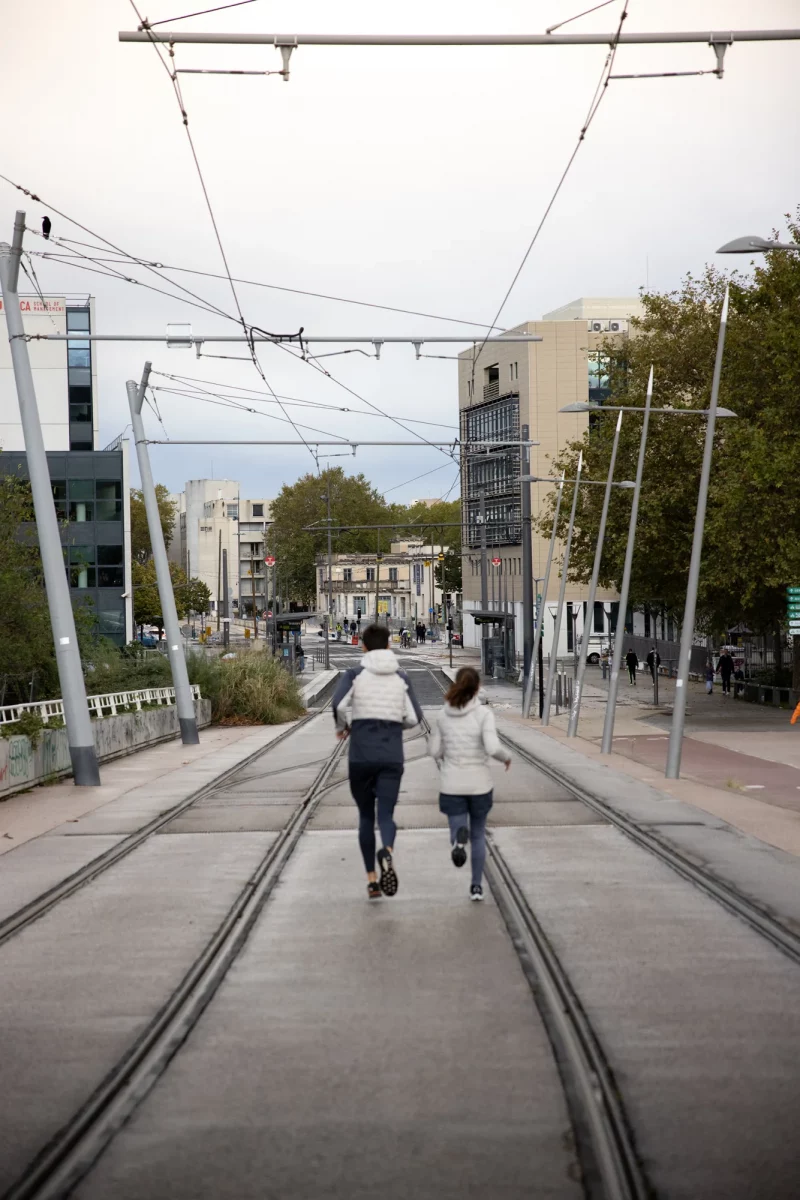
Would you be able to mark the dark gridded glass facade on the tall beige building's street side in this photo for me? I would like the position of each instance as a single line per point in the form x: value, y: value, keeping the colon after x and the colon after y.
x: 495, y: 473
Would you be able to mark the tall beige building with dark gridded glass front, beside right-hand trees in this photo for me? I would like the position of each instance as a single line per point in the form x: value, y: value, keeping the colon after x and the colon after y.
x: 528, y: 385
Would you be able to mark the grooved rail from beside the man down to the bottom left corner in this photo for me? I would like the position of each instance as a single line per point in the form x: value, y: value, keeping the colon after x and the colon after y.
x: 70, y: 1156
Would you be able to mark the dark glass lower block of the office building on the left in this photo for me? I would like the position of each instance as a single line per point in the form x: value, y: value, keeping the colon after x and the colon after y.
x: 88, y: 494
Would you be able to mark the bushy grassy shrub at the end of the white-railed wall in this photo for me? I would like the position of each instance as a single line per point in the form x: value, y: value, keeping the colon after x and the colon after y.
x: 254, y: 689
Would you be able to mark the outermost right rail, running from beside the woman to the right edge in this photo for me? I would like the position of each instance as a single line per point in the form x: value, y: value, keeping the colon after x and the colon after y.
x: 742, y: 907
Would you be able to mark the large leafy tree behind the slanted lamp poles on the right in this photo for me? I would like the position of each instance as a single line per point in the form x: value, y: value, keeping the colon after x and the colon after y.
x: 751, y: 550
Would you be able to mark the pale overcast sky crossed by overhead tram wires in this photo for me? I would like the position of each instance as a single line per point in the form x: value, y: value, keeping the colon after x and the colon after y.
x: 410, y: 177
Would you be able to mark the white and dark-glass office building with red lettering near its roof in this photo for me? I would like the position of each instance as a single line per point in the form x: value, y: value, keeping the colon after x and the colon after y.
x: 91, y: 487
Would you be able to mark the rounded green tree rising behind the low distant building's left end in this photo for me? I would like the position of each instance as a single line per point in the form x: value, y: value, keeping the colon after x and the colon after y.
x: 354, y: 502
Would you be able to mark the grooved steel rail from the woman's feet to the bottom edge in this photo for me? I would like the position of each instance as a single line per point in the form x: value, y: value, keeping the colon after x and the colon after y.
x: 603, y: 1132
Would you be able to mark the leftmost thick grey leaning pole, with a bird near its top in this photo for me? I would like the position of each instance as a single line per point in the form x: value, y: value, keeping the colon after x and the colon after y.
x: 81, y: 736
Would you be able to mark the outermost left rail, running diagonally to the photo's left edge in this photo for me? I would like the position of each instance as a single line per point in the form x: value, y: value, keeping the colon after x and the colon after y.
x: 44, y: 903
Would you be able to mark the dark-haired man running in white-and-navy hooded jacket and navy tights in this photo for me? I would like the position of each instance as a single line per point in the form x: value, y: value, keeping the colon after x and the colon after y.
x: 372, y: 706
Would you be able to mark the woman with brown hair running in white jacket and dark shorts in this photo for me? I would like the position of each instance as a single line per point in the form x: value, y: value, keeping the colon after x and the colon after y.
x: 462, y: 741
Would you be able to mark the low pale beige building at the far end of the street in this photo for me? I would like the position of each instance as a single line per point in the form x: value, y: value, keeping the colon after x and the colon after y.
x: 400, y: 587
